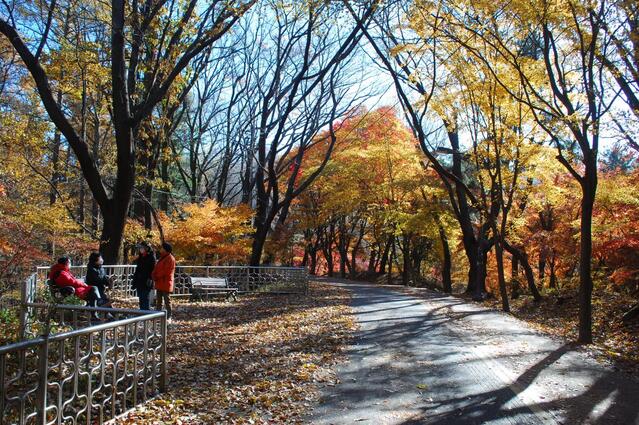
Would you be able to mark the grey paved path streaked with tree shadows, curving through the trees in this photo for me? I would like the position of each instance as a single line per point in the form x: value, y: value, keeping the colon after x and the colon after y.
x: 440, y: 360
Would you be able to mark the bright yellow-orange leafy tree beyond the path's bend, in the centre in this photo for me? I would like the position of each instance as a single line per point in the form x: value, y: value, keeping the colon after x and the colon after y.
x: 373, y: 199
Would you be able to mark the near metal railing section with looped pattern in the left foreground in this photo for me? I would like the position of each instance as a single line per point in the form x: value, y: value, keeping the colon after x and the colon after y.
x: 87, y: 373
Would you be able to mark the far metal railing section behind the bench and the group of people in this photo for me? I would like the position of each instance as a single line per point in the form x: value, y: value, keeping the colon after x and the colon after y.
x: 245, y: 278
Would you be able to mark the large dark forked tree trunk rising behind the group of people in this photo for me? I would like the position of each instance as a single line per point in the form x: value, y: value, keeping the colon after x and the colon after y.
x: 183, y: 30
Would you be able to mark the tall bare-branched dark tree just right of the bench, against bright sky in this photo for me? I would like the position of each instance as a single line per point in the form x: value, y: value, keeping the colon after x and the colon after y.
x: 304, y: 83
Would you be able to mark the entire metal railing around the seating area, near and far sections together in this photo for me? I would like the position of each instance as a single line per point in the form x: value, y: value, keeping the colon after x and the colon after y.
x: 82, y: 372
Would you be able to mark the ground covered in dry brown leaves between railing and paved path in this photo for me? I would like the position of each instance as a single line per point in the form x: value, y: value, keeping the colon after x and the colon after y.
x: 256, y: 361
